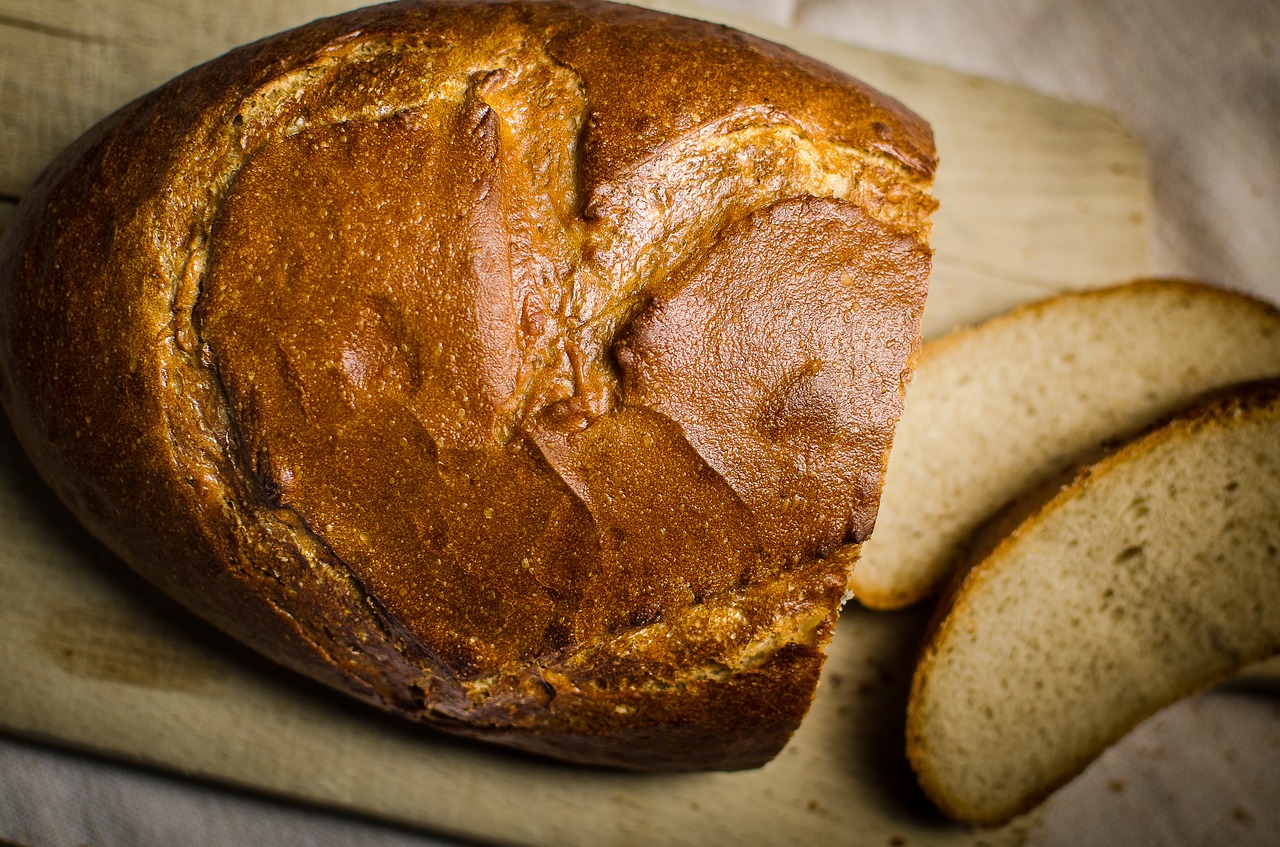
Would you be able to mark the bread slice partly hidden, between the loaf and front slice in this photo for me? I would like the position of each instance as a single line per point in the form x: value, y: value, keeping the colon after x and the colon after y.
x: 998, y: 409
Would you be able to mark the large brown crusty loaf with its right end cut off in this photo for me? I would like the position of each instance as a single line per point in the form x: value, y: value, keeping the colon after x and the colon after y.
x: 528, y: 369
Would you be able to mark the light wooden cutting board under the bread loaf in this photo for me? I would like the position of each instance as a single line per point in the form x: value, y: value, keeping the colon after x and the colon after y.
x: 1037, y: 196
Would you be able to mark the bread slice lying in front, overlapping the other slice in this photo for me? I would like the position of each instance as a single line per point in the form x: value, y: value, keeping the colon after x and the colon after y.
x: 1153, y: 575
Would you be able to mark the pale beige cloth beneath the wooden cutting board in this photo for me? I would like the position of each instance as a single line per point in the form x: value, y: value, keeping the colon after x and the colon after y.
x: 1200, y: 85
